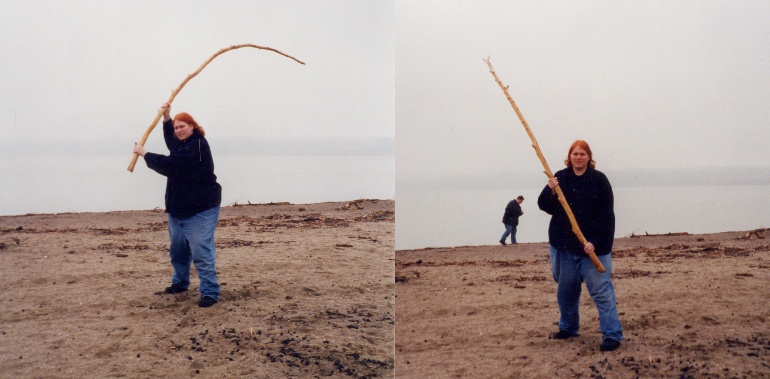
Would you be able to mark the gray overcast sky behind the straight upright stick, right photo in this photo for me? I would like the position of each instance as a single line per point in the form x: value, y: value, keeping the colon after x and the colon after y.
x: 657, y: 84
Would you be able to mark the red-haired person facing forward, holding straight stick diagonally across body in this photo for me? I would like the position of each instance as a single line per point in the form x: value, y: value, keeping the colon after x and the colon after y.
x: 589, y: 194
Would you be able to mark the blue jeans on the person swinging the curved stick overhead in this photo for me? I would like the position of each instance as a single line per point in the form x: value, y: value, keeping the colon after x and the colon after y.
x: 192, y: 241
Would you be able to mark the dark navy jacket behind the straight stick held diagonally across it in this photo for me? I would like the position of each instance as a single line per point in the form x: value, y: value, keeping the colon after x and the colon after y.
x: 591, y: 200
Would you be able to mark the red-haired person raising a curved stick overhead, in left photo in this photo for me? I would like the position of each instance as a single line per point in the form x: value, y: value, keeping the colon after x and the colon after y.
x: 193, y: 197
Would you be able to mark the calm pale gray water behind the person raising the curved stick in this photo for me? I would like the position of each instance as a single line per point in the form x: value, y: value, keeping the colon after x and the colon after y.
x: 57, y: 184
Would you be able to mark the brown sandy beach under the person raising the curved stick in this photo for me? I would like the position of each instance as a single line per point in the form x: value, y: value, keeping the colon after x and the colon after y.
x: 307, y: 291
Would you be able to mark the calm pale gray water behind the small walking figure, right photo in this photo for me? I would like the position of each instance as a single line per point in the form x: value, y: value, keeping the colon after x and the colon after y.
x: 433, y: 218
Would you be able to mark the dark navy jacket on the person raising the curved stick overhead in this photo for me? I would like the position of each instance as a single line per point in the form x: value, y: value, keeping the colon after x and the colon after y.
x: 191, y: 186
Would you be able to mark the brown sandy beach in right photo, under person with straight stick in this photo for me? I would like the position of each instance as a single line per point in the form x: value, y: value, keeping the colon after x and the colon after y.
x: 691, y: 306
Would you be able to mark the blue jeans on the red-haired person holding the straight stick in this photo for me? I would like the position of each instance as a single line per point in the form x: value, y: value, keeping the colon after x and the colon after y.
x: 569, y: 270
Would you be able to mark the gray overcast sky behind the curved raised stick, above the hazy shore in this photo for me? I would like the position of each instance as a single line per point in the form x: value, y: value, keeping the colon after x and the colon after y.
x: 98, y: 70
